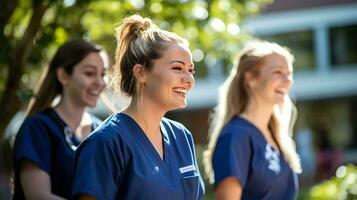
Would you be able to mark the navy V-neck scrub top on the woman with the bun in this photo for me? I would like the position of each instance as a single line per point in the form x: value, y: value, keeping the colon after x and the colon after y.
x: 119, y: 162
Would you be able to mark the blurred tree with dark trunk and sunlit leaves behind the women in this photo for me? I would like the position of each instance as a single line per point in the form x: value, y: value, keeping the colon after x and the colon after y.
x: 32, y: 30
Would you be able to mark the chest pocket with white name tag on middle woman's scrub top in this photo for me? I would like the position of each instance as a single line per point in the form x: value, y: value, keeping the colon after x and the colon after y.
x: 190, y: 181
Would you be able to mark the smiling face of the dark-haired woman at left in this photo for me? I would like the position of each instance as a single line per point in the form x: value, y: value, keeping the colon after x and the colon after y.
x: 86, y: 82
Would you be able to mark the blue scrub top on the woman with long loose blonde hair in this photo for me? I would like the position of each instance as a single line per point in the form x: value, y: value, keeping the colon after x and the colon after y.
x: 263, y: 172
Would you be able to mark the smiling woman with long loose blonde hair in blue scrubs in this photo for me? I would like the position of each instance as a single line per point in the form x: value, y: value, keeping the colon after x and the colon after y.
x: 251, y: 154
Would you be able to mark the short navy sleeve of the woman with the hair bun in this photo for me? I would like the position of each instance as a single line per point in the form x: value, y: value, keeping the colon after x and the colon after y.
x: 95, y: 158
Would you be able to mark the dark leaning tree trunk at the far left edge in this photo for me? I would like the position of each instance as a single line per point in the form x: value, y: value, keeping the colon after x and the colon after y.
x: 10, y: 102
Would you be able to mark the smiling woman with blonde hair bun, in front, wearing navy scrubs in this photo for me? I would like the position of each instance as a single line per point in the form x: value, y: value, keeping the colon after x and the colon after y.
x: 138, y: 153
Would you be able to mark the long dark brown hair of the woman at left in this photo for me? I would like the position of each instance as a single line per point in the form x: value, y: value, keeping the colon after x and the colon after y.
x: 67, y: 56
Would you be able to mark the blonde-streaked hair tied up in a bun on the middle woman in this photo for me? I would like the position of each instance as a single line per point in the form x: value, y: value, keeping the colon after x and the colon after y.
x: 139, y: 41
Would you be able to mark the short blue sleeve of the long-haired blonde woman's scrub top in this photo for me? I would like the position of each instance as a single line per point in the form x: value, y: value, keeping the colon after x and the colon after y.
x: 231, y: 157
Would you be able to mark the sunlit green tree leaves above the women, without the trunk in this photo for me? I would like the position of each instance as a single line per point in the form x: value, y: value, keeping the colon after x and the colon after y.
x: 212, y: 27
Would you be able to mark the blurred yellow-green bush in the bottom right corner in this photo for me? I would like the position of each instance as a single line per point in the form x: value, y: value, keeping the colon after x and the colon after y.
x: 341, y: 187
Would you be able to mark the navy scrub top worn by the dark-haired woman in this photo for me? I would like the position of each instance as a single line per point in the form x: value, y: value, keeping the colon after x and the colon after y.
x: 41, y: 139
